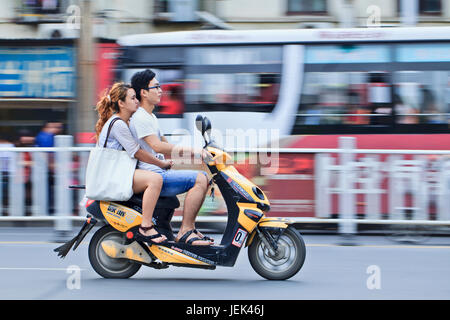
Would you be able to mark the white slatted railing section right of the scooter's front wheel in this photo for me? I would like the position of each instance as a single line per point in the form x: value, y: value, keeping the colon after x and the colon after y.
x: 394, y: 177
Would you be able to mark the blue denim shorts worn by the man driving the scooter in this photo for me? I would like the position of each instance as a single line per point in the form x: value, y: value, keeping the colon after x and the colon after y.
x: 178, y: 181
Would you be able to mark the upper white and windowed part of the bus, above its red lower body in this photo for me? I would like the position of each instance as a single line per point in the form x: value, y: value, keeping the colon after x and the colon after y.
x: 301, y: 82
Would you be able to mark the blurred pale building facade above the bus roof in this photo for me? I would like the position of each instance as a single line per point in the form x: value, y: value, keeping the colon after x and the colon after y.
x: 114, y: 18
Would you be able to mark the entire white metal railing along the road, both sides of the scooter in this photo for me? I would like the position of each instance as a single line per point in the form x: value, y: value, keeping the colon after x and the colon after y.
x: 346, y: 172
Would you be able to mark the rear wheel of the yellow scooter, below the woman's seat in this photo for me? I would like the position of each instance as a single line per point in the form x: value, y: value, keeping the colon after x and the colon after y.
x: 104, y: 265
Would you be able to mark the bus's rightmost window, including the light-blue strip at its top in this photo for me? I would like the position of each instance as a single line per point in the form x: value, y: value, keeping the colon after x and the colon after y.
x: 422, y: 84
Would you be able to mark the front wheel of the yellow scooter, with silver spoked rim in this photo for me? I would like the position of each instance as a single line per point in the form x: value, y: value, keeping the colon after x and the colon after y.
x: 282, y: 264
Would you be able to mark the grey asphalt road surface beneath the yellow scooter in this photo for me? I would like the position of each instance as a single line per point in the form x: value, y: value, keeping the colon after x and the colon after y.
x: 376, y: 268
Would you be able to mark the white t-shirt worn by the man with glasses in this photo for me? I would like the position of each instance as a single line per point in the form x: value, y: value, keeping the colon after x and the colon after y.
x: 143, y: 124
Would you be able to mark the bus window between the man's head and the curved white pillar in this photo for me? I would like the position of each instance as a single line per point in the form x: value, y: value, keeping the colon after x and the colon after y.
x: 233, y: 78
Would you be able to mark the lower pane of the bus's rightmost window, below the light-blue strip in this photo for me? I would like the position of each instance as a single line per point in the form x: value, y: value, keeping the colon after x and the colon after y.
x: 422, y: 97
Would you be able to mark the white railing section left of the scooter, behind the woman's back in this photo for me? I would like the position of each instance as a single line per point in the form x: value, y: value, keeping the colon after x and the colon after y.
x: 44, y: 182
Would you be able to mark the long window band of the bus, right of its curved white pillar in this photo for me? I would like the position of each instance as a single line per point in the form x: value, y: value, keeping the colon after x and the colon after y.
x: 401, y: 88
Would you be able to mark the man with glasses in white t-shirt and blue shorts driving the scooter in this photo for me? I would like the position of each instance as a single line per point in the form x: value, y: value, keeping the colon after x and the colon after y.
x: 145, y: 128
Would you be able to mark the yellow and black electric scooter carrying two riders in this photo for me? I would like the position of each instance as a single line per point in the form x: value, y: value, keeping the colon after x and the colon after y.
x: 276, y: 250
